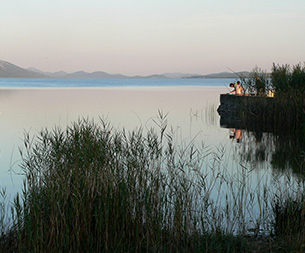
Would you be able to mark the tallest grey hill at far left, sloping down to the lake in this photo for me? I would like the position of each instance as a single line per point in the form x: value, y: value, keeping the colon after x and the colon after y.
x: 10, y: 70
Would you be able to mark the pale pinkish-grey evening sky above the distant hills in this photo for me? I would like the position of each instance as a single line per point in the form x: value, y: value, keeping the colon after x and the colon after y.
x: 152, y: 36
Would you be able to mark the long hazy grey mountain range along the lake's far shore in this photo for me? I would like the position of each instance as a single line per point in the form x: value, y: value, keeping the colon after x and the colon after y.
x: 9, y: 70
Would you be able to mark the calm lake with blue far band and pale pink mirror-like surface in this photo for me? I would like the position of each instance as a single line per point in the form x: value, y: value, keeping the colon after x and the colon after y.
x: 259, y: 159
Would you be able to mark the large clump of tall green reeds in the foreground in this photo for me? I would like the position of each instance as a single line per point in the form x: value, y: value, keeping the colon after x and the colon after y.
x: 91, y: 189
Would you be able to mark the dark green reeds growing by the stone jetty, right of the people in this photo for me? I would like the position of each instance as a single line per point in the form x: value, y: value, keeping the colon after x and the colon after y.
x: 285, y: 109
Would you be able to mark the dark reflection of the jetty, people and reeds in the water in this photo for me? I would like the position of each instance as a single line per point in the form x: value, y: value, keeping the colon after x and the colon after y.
x: 261, y: 144
